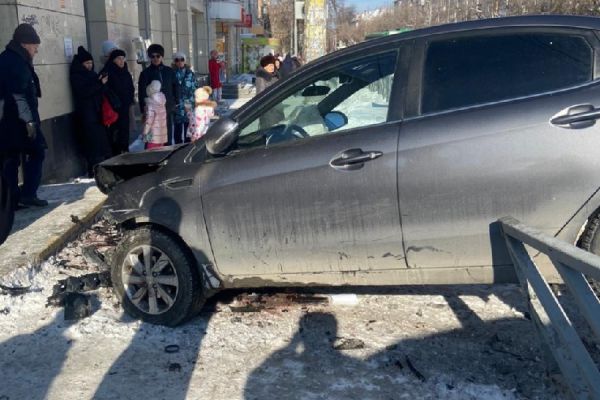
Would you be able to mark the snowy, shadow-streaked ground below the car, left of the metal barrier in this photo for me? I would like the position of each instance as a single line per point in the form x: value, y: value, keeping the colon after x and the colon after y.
x: 414, y: 343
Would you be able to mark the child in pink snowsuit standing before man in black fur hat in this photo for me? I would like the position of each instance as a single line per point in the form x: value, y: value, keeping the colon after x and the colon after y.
x: 155, y: 127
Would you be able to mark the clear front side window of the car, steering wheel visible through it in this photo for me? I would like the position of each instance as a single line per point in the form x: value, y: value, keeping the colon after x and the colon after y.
x: 346, y: 96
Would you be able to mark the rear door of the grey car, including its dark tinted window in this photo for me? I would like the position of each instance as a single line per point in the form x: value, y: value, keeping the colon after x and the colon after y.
x: 481, y: 143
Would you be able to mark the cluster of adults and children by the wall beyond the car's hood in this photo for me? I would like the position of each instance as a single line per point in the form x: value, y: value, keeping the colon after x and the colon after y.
x: 173, y: 108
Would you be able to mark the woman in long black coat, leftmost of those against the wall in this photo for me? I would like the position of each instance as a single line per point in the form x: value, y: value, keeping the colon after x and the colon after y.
x: 88, y: 88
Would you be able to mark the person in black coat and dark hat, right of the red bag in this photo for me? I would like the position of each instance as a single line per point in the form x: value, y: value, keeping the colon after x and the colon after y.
x: 120, y: 83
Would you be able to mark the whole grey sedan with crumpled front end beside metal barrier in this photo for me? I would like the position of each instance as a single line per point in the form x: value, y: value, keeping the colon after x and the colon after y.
x: 385, y: 163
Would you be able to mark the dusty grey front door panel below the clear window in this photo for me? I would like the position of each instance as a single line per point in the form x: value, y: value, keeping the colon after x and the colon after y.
x: 294, y: 213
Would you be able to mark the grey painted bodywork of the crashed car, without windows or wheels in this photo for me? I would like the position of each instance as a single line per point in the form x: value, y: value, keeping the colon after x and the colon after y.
x: 439, y: 229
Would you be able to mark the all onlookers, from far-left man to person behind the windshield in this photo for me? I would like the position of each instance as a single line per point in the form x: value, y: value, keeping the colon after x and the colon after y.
x: 174, y: 109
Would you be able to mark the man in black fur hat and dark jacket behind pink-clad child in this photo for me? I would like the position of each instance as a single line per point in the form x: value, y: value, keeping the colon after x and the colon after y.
x: 159, y: 72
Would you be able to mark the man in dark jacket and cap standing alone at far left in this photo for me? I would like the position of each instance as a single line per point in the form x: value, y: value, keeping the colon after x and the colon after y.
x: 20, y: 136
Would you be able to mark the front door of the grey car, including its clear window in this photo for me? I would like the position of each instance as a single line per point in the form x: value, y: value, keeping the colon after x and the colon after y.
x: 310, y: 187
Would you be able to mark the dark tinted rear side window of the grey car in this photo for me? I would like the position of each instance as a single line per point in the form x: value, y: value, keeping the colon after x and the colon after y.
x: 468, y: 71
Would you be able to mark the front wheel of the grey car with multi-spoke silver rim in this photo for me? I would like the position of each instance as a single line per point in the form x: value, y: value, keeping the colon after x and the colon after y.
x: 155, y: 277
